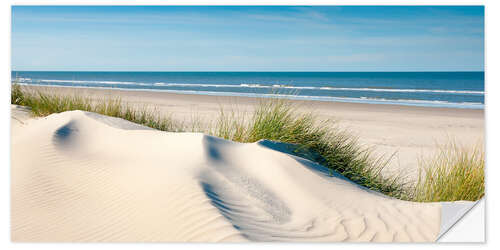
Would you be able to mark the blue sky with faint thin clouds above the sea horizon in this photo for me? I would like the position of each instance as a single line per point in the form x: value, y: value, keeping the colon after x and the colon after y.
x: 273, y: 38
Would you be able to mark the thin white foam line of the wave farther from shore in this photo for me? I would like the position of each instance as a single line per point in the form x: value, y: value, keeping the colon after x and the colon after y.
x: 256, y: 85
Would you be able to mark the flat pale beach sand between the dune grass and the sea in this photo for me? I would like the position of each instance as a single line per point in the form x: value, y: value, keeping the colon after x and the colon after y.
x: 406, y: 133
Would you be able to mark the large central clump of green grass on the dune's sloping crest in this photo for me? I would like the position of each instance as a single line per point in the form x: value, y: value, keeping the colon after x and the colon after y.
x: 319, y: 141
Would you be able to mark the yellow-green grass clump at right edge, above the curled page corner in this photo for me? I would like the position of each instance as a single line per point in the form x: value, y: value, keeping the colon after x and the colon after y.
x: 455, y: 173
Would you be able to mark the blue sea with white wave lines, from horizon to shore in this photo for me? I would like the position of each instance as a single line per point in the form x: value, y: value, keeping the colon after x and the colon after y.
x: 429, y: 89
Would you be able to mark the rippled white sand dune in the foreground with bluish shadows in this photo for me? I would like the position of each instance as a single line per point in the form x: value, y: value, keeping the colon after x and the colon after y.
x: 83, y: 177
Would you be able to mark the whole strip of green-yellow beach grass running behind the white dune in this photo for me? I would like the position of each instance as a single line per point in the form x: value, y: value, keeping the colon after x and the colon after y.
x: 281, y: 120
